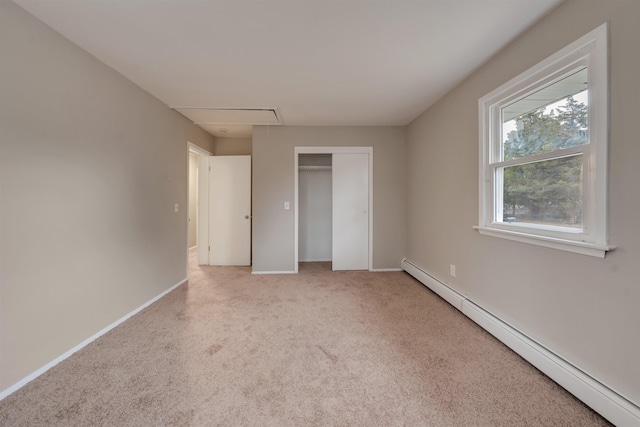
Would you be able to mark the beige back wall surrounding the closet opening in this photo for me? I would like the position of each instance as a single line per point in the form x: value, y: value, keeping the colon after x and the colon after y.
x: 273, y: 184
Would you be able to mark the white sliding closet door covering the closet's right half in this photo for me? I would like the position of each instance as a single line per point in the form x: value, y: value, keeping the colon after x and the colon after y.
x: 350, y: 236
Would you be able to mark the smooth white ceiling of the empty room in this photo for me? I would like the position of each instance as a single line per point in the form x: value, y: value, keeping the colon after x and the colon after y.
x: 318, y: 62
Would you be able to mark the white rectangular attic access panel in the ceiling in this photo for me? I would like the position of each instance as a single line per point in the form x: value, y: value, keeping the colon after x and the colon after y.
x: 229, y: 116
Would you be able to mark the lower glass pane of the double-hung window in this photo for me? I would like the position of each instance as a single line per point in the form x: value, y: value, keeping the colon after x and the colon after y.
x: 547, y: 192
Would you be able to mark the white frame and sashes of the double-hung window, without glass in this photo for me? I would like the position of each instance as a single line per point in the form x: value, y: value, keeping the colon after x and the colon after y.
x: 589, y: 51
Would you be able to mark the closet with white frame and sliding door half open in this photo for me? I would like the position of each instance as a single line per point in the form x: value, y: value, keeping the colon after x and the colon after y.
x: 351, y: 203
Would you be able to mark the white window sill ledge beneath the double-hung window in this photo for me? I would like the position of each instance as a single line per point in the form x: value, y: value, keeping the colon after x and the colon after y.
x: 591, y: 249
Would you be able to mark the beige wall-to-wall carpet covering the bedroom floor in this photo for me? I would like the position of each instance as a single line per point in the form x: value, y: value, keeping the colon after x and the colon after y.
x: 319, y: 348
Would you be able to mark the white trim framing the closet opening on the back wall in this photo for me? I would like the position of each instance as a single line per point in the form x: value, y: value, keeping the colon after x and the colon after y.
x: 331, y: 150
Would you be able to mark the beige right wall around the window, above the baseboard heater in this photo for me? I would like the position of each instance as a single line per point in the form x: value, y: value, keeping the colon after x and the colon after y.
x: 585, y: 309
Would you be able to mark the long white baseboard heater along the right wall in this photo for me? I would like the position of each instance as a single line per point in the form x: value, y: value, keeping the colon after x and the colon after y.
x: 611, y: 405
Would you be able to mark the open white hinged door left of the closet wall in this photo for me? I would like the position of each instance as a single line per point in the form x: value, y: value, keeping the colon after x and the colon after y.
x: 230, y: 210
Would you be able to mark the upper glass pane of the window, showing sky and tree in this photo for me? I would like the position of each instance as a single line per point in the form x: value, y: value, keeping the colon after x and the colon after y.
x: 552, y: 118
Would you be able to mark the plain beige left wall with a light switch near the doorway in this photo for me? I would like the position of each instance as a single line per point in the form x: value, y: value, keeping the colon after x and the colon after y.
x: 91, y: 167
